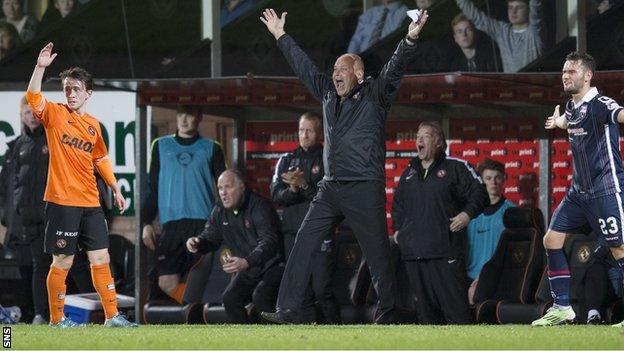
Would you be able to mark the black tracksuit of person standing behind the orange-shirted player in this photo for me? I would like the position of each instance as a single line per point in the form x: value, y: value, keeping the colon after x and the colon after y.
x: 31, y: 159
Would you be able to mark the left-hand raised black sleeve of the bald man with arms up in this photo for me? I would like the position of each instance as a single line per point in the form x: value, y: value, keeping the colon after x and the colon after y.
x: 317, y: 83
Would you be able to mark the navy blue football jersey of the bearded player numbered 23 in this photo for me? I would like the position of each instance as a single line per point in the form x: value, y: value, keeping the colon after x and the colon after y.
x: 593, y: 132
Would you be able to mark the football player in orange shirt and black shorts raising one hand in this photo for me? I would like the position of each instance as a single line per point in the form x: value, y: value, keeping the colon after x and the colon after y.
x: 73, y: 212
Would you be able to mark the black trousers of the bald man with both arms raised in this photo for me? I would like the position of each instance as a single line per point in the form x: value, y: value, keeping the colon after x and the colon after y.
x: 363, y: 205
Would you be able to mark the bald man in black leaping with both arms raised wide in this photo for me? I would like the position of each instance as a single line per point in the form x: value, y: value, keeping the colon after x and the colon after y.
x: 353, y: 188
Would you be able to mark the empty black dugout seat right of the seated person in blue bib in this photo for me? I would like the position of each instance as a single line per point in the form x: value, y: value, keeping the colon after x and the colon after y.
x: 512, y: 274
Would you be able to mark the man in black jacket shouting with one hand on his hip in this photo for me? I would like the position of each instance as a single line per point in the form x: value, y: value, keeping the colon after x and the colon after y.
x: 435, y: 199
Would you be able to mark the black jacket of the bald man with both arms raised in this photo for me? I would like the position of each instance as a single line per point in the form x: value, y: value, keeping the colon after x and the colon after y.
x: 354, y: 129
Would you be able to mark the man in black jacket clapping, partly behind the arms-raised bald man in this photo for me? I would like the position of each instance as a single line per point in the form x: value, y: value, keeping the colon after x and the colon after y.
x: 294, y: 185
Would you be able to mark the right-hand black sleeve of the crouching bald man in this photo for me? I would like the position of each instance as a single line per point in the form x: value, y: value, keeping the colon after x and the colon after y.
x: 264, y: 220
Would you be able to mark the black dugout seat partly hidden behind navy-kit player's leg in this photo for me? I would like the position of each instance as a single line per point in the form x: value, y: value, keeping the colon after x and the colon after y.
x: 579, y: 249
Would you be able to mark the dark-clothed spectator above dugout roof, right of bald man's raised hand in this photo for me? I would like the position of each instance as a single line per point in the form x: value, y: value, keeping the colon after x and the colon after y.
x: 474, y: 56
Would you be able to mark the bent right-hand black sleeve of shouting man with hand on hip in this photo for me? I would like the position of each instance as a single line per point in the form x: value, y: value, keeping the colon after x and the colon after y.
x: 471, y: 190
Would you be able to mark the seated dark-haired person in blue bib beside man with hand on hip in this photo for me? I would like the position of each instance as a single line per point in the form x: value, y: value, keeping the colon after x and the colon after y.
x: 485, y: 230
